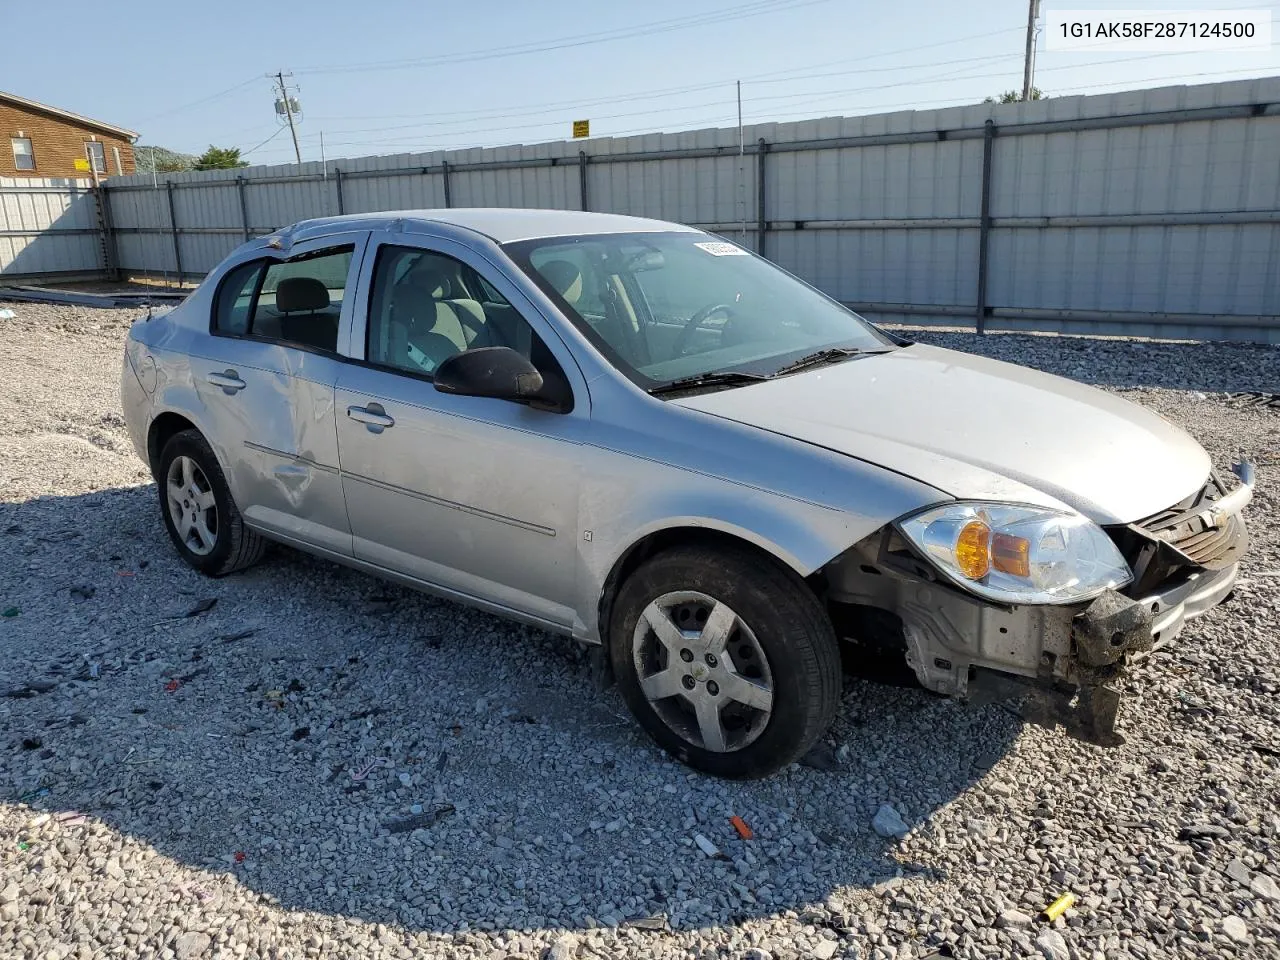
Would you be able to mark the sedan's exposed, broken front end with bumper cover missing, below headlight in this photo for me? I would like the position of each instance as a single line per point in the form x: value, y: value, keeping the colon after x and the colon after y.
x: 1072, y: 657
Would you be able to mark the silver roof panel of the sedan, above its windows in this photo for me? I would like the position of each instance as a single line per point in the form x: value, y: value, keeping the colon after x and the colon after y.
x: 501, y: 225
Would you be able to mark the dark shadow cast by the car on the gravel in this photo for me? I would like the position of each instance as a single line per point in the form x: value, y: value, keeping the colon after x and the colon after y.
x: 278, y: 739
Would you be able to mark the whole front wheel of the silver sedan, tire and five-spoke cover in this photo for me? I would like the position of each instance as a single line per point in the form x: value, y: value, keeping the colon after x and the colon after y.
x: 730, y: 664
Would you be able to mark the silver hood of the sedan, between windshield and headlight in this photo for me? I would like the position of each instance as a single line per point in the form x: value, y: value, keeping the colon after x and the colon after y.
x: 980, y: 429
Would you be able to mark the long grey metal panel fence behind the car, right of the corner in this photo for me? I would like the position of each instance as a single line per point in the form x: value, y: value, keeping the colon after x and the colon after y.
x: 1150, y: 213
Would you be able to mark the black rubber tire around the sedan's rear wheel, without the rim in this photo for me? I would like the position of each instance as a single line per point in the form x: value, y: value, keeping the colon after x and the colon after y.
x: 236, y: 547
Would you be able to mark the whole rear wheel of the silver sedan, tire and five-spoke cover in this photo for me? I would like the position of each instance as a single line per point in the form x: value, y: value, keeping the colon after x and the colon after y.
x: 199, y: 511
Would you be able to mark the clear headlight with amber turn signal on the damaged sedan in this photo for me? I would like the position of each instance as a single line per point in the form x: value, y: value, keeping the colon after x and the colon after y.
x: 1018, y: 555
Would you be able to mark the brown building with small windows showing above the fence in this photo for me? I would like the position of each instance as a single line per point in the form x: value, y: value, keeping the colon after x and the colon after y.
x: 43, y: 141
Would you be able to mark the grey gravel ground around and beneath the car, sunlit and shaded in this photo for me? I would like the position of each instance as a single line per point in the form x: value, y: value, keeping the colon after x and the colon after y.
x: 236, y: 783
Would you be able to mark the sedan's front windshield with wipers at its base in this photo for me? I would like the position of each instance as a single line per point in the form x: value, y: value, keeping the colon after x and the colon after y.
x: 669, y: 308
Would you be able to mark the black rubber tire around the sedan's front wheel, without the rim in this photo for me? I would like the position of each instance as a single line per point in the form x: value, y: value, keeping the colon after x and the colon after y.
x: 789, y: 625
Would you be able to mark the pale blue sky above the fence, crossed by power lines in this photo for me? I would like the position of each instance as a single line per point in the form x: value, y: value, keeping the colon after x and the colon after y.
x: 400, y: 76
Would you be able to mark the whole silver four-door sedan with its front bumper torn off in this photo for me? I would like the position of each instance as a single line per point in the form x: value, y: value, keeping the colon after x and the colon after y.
x: 652, y: 441
